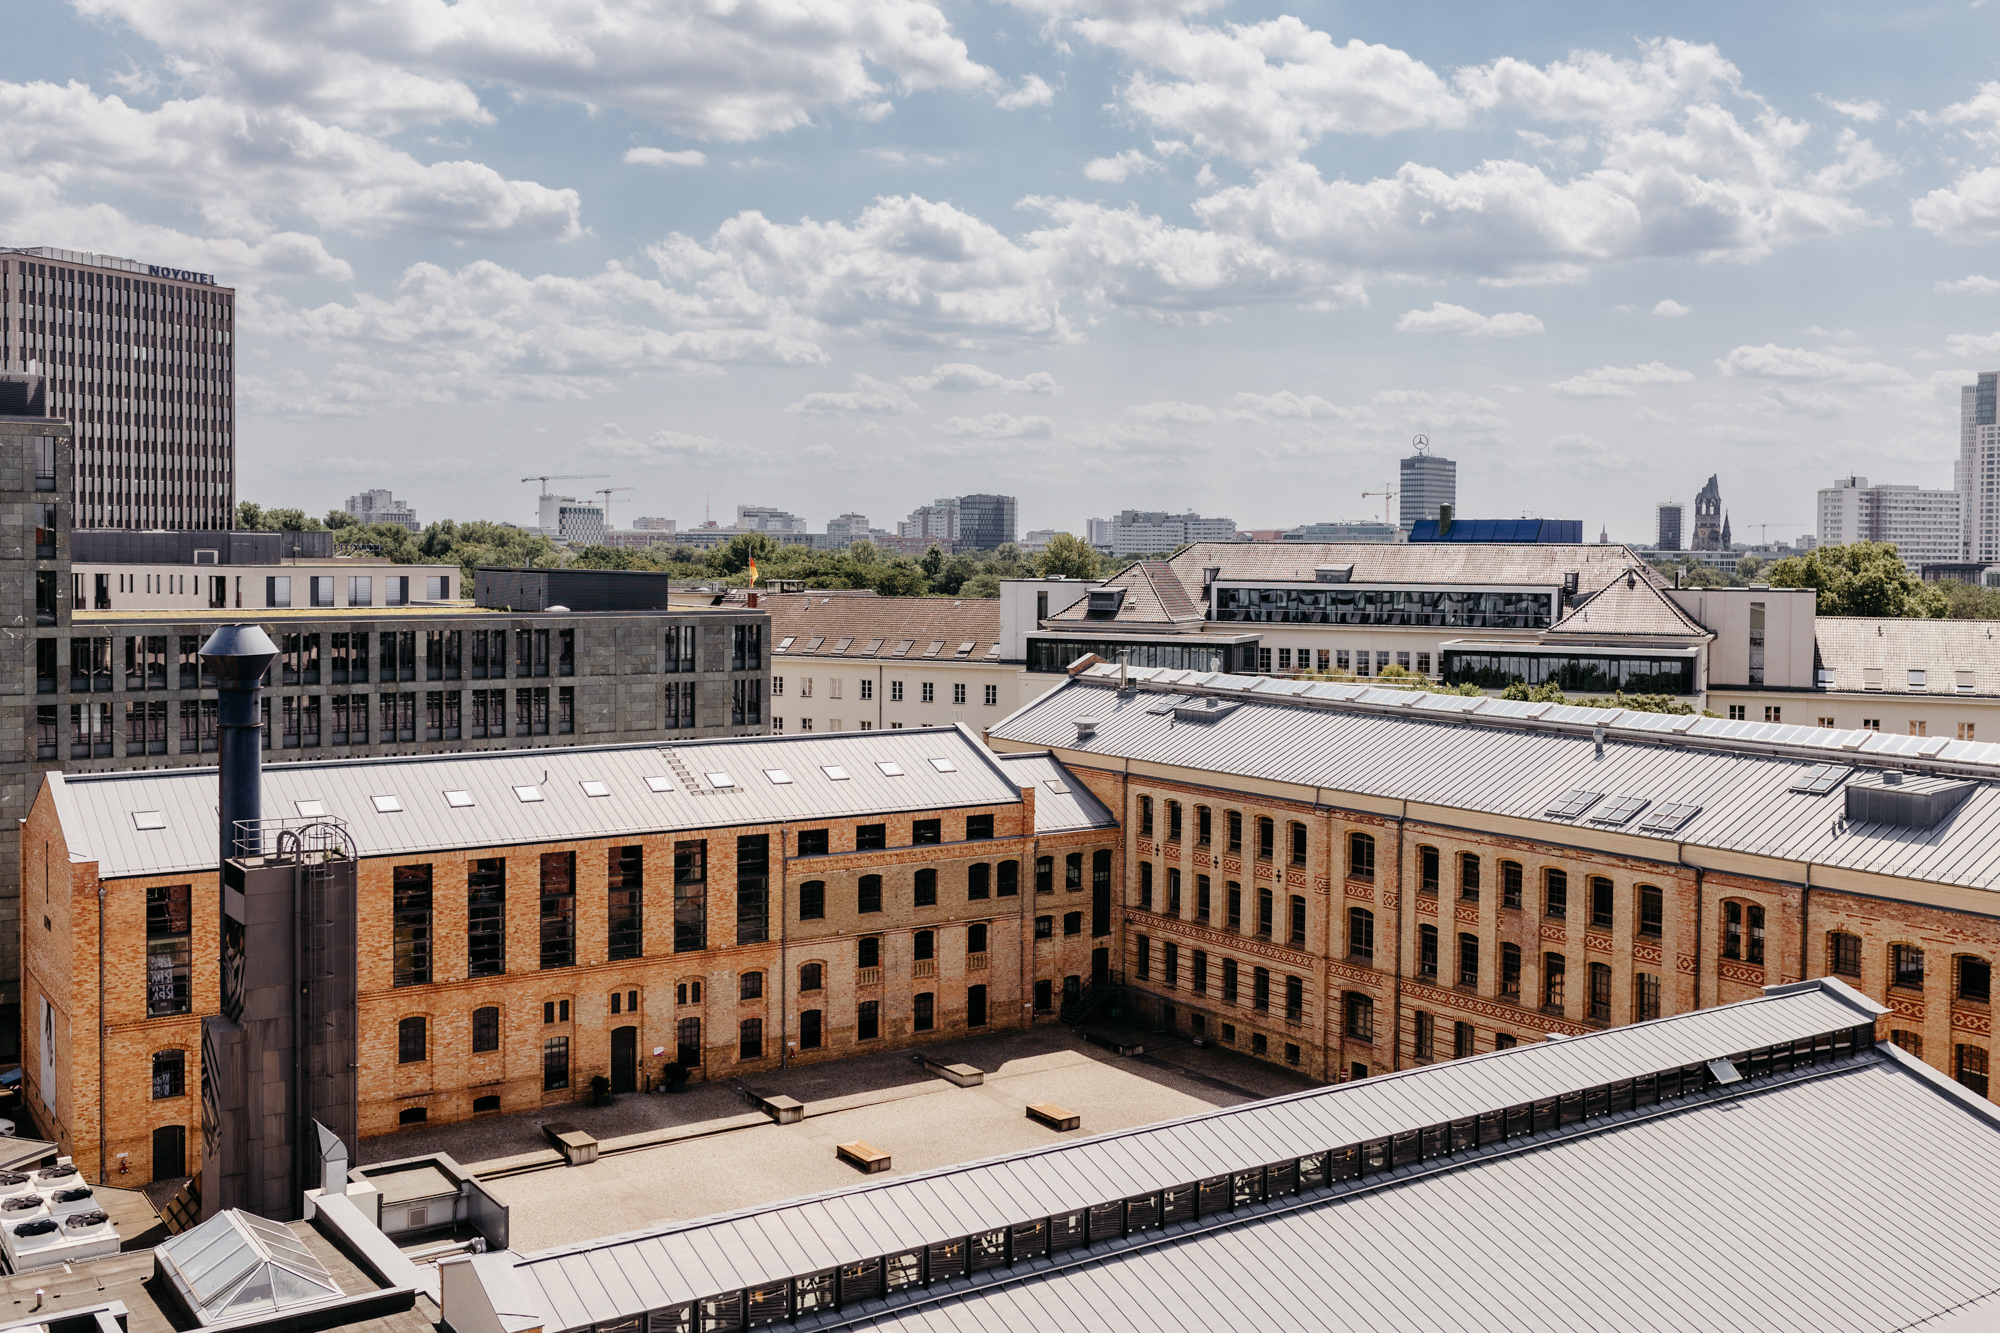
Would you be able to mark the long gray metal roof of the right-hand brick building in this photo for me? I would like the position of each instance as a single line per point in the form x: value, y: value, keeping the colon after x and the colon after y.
x: 1501, y: 758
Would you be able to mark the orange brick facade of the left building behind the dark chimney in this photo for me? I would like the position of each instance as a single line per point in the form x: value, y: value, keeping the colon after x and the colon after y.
x: 453, y: 1082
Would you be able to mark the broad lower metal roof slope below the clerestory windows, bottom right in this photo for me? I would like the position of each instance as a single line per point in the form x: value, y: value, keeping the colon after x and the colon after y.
x: 1853, y: 1198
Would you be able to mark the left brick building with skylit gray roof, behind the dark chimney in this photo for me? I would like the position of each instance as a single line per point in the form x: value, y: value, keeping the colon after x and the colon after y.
x: 531, y: 920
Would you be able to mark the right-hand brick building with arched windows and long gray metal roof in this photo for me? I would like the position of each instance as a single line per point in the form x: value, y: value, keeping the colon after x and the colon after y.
x: 1357, y: 882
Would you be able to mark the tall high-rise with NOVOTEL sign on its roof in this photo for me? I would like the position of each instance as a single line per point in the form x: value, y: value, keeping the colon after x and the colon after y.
x: 141, y: 361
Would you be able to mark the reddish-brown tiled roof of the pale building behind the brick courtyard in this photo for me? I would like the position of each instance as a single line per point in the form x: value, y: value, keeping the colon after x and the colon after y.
x: 939, y: 629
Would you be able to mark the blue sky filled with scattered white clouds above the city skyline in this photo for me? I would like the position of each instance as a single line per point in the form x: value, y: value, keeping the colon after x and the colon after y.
x: 853, y: 255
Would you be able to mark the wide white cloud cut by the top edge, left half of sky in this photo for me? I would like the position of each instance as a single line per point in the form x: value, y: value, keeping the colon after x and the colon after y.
x: 727, y: 73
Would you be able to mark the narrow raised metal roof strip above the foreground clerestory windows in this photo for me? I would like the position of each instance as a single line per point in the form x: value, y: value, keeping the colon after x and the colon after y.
x: 625, y: 1276
